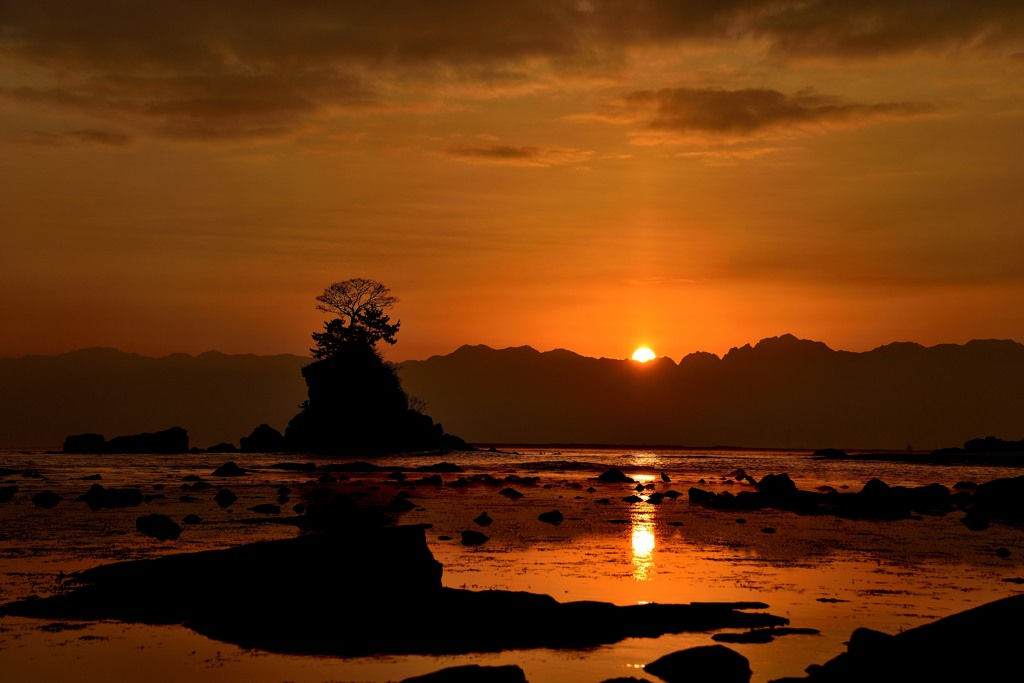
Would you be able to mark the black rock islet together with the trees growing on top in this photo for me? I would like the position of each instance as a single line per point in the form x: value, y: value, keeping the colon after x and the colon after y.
x: 356, y: 402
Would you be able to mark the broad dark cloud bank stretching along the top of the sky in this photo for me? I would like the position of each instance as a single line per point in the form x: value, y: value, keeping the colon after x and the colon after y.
x: 245, y: 68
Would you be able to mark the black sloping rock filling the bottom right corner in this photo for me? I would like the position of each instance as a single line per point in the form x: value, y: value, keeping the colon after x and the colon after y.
x: 979, y: 645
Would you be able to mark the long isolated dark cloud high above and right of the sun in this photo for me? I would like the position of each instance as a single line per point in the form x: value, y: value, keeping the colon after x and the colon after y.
x: 751, y: 111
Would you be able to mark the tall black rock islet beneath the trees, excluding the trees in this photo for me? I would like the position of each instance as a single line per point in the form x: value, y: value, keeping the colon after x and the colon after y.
x: 357, y: 406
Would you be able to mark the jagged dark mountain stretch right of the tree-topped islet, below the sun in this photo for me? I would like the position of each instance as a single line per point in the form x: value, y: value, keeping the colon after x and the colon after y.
x: 784, y: 393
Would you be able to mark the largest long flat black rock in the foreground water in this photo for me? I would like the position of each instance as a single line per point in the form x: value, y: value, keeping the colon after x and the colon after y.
x: 354, y: 613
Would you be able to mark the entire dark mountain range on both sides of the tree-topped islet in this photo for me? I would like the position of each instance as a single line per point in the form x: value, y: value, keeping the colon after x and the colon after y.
x: 783, y: 392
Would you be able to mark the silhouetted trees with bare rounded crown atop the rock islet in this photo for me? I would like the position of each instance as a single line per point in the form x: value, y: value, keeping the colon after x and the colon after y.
x: 359, y: 306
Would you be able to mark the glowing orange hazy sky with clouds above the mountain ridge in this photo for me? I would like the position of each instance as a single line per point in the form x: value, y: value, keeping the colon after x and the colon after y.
x: 188, y: 176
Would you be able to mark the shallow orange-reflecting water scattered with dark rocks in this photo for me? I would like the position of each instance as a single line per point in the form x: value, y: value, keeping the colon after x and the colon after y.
x: 887, y: 576
